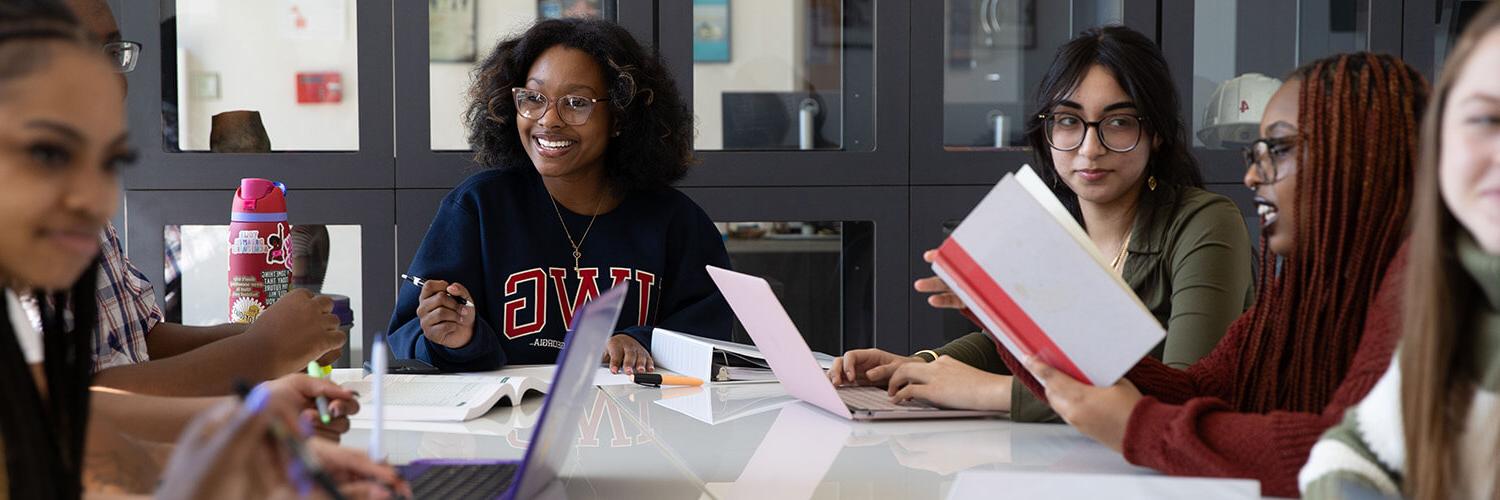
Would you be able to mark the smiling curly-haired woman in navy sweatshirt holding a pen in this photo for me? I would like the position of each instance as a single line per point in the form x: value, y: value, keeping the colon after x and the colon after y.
x: 583, y: 133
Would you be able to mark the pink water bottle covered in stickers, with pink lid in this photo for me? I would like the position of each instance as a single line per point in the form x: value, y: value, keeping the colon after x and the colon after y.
x: 260, y: 248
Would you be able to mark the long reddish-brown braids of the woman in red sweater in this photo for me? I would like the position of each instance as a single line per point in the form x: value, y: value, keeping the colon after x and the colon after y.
x: 1358, y: 118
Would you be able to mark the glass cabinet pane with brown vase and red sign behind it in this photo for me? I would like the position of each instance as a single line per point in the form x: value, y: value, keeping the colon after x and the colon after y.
x: 251, y: 77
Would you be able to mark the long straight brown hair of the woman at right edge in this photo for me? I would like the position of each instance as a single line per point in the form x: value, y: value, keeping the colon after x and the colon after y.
x: 1436, y: 369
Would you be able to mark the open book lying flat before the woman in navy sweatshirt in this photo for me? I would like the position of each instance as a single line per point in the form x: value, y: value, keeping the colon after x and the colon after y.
x: 463, y: 397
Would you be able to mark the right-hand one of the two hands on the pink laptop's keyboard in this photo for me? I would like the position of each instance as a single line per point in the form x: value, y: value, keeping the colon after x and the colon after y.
x: 953, y: 385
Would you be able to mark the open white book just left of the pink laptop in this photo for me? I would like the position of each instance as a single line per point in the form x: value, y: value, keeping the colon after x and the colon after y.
x: 715, y: 361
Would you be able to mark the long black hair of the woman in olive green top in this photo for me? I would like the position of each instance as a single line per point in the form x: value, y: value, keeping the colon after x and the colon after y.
x: 1141, y: 70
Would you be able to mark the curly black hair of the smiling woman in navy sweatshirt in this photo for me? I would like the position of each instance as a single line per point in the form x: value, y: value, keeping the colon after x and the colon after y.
x: 655, y: 146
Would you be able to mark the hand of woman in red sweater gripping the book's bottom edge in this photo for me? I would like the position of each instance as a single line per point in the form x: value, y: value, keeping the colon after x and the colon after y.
x: 1099, y: 412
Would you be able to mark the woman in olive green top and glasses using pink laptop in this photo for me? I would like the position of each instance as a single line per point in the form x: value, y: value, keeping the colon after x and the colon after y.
x: 1138, y: 193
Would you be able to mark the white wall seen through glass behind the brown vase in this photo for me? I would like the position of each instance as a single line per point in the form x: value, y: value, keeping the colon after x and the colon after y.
x: 244, y: 43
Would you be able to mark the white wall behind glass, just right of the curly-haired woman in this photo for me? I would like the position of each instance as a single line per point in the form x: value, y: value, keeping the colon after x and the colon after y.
x: 766, y: 55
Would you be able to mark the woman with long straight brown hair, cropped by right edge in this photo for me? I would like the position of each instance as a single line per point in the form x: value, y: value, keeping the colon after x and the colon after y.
x: 1430, y: 426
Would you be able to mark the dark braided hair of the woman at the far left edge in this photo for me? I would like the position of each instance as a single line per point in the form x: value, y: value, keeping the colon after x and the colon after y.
x: 44, y: 439
